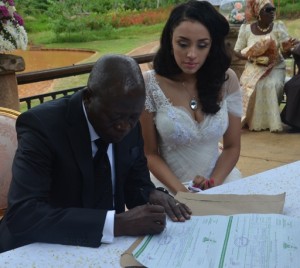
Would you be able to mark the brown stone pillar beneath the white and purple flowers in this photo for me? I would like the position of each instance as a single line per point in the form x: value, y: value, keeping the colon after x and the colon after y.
x: 9, y: 65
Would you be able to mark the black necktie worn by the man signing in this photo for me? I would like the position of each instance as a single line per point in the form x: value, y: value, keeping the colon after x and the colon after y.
x: 102, y: 174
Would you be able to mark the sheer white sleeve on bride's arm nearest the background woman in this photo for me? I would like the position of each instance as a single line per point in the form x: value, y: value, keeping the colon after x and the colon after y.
x: 233, y: 94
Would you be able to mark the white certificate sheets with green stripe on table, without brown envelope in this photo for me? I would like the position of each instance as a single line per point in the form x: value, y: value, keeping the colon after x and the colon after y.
x: 242, y: 240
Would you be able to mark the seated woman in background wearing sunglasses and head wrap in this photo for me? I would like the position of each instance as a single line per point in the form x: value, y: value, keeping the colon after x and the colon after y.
x: 264, y: 43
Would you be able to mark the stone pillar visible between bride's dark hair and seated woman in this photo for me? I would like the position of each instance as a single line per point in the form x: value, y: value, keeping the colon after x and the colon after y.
x: 237, y: 64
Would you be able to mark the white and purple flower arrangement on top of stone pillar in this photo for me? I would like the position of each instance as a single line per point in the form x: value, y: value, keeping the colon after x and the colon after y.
x: 12, y: 33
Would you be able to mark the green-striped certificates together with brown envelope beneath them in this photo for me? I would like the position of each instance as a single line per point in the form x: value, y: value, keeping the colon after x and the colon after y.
x: 234, y: 231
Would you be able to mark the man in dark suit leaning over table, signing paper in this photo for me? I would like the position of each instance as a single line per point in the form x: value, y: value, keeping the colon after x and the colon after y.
x: 55, y: 197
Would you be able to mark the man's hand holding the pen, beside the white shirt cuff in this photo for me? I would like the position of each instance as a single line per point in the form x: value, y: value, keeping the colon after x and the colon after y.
x: 141, y: 220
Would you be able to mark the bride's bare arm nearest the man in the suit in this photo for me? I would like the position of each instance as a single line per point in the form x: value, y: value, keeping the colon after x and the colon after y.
x: 156, y: 164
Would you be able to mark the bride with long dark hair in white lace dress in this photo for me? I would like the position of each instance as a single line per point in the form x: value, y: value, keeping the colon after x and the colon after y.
x: 189, y: 107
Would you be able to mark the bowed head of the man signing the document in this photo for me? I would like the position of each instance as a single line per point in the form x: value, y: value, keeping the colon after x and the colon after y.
x: 115, y: 96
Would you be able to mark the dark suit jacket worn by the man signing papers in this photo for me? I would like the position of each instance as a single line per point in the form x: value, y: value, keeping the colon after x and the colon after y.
x: 51, y: 197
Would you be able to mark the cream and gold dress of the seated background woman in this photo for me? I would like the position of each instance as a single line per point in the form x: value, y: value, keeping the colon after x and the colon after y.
x: 262, y: 85
